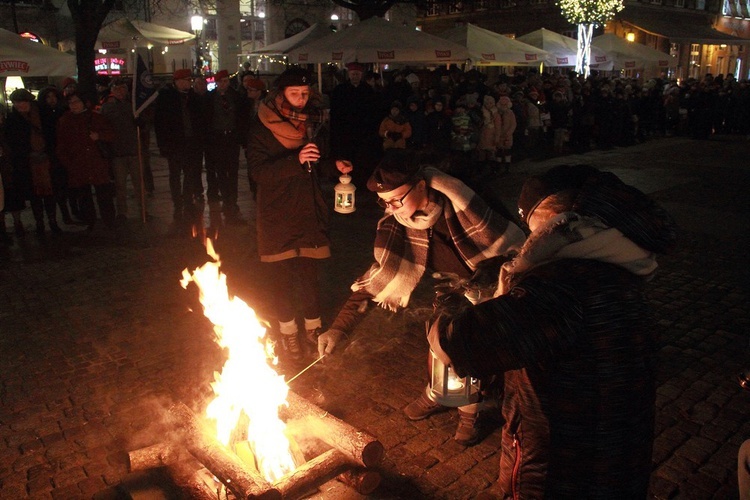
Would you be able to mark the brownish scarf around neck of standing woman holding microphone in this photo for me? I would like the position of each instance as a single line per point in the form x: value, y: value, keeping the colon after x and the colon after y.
x: 289, y: 124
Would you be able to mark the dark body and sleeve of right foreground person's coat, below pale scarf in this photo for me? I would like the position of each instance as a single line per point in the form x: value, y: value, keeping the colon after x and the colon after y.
x: 578, y: 359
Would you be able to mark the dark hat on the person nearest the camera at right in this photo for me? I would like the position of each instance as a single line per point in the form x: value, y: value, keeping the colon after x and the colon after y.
x: 560, y: 178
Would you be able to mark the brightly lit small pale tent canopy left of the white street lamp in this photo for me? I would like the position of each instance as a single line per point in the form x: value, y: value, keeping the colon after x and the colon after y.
x: 126, y: 34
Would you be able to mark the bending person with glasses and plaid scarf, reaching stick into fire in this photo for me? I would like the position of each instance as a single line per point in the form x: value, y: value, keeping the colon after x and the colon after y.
x: 432, y: 221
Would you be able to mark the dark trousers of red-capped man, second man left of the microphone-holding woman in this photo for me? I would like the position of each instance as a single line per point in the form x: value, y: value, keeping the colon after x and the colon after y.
x: 185, y: 169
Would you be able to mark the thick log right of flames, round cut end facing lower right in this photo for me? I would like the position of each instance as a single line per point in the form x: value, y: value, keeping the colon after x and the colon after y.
x: 358, y: 445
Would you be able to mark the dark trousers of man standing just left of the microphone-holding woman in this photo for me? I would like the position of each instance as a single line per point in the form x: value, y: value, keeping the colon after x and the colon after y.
x: 222, y: 167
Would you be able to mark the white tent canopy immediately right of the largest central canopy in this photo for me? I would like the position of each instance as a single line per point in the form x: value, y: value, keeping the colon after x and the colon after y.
x: 493, y: 49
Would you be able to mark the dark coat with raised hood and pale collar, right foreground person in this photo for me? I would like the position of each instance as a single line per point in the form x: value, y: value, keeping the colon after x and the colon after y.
x: 571, y: 332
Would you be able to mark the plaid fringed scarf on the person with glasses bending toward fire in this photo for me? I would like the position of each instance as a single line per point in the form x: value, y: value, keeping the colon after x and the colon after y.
x: 401, y: 252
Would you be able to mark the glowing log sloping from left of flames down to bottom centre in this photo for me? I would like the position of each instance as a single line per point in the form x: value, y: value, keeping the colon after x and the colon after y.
x: 224, y: 464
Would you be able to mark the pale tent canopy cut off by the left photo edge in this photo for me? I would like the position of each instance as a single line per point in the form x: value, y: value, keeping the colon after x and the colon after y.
x: 22, y: 57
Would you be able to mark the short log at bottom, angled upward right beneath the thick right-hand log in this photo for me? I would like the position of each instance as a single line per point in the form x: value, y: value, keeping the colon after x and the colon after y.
x: 313, y: 473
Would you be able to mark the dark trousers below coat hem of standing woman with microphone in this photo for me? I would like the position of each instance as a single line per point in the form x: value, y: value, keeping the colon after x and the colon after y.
x: 300, y: 273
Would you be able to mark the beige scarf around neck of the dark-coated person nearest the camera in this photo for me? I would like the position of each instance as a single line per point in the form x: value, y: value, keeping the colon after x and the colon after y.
x: 573, y: 236
